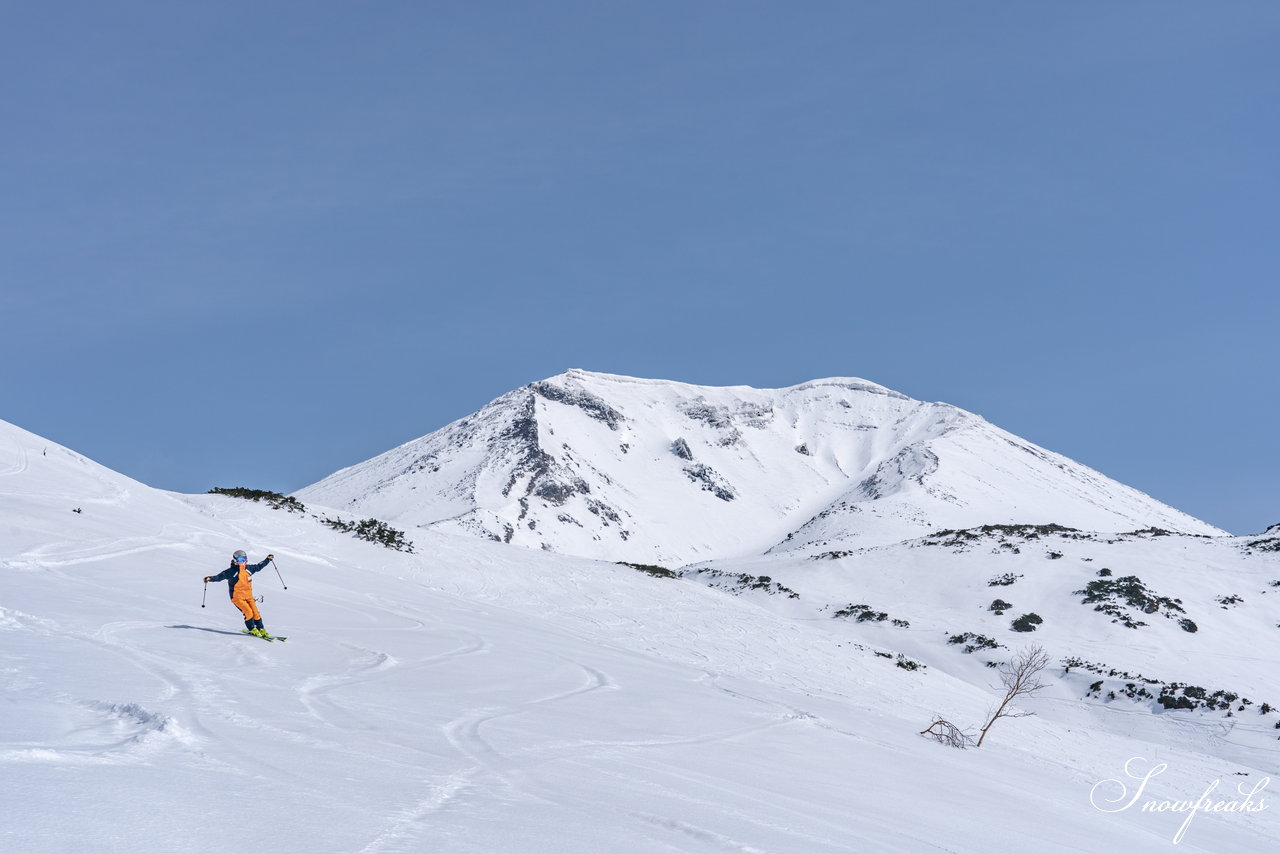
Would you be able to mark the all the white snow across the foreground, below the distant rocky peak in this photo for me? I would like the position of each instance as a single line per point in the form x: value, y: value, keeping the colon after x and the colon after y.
x: 477, y: 697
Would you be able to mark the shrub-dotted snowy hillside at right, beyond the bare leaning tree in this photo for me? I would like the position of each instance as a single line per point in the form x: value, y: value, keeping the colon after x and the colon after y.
x: 1162, y: 613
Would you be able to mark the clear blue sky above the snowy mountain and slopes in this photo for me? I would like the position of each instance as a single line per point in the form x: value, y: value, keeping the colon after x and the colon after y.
x: 249, y: 244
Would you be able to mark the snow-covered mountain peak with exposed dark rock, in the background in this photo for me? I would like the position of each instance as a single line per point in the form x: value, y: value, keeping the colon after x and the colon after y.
x: 666, y: 473
